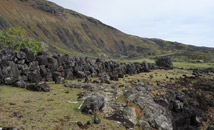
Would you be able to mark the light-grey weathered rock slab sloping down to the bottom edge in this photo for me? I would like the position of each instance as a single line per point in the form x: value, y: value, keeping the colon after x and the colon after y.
x: 153, y: 115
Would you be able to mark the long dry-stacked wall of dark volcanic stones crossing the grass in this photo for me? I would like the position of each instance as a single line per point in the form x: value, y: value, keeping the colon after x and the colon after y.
x: 23, y: 67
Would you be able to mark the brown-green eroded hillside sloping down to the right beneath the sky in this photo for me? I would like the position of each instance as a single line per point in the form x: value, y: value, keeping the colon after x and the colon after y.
x: 67, y: 31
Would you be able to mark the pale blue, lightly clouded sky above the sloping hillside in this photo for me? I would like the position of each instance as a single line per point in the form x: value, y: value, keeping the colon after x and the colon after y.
x: 186, y: 21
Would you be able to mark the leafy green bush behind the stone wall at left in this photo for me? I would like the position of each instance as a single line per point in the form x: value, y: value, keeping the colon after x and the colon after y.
x: 16, y: 38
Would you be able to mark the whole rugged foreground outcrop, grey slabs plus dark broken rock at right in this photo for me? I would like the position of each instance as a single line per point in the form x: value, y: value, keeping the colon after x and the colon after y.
x: 135, y: 104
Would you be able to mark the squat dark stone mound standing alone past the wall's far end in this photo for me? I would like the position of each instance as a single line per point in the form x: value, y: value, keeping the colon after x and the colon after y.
x: 164, y: 62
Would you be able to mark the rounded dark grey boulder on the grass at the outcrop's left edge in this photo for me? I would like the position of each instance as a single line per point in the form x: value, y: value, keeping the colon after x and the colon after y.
x: 92, y: 104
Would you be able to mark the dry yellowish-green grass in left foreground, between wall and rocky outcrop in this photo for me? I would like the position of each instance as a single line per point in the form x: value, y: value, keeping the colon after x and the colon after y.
x: 39, y: 110
